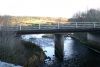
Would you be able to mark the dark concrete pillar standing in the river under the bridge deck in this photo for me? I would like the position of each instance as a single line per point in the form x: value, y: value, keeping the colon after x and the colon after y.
x: 59, y: 46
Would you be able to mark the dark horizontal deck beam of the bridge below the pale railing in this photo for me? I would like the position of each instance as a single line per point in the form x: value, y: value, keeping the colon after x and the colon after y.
x: 54, y: 31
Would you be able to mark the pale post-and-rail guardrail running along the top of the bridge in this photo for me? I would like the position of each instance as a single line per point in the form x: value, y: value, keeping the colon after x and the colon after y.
x: 73, y: 25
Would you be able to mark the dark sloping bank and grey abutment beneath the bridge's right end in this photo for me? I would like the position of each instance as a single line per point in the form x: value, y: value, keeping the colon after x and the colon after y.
x: 89, y: 41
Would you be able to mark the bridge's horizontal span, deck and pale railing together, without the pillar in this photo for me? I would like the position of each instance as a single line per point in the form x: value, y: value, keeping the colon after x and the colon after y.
x: 54, y: 28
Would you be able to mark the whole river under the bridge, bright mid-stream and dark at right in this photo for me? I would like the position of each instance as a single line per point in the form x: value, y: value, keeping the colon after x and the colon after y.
x: 75, y: 53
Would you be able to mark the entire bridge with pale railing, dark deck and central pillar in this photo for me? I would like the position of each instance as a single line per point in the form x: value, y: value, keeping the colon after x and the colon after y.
x: 57, y: 30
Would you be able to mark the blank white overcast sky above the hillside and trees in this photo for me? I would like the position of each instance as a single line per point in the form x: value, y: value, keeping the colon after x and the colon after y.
x: 51, y: 8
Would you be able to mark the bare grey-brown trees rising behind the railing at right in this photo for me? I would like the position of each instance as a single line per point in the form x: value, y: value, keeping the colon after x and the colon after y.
x: 92, y: 15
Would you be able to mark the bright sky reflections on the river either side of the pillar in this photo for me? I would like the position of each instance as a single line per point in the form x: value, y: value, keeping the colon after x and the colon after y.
x: 48, y: 46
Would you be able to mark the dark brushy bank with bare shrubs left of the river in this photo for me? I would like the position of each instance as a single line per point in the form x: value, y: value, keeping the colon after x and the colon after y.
x: 13, y: 50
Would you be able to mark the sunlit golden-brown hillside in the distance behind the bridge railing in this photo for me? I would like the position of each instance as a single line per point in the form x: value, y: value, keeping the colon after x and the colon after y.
x: 28, y: 20
